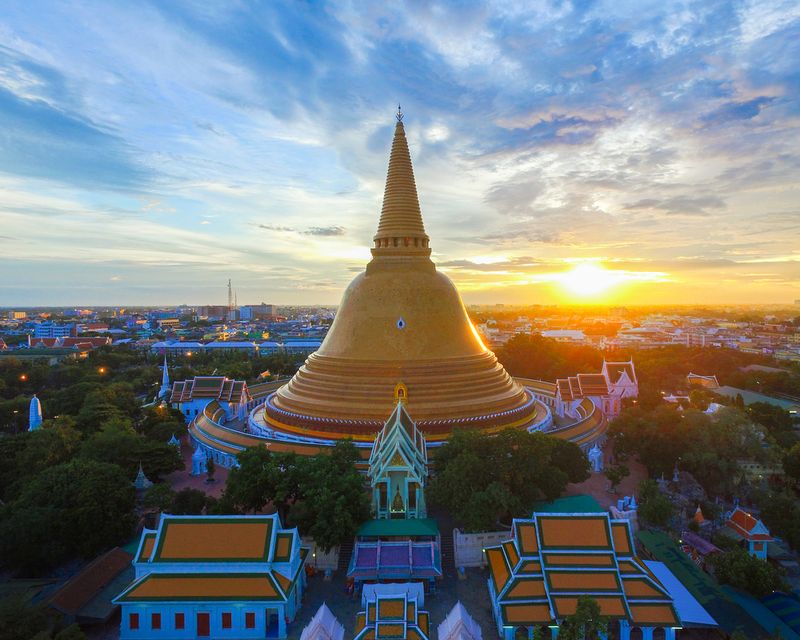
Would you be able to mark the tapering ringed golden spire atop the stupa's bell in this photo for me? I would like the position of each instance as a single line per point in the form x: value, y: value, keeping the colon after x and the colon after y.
x: 400, y: 230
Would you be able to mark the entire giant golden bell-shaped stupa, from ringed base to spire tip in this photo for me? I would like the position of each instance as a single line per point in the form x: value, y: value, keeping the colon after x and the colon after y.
x: 401, y: 321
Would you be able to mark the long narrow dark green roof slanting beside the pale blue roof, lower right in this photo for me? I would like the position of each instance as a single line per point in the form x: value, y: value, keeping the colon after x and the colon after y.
x: 728, y: 614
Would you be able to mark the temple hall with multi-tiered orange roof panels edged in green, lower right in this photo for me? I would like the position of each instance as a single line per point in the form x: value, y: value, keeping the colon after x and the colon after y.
x: 552, y: 559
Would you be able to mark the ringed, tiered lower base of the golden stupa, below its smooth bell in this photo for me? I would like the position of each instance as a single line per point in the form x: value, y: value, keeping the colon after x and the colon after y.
x: 353, y: 397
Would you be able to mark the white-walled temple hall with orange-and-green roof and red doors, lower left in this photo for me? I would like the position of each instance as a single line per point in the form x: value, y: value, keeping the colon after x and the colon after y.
x: 214, y: 577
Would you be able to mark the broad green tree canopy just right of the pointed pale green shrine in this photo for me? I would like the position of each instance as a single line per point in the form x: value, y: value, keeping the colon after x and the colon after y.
x: 481, y: 478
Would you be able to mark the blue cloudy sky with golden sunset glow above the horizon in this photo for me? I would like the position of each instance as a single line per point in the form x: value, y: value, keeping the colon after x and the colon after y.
x: 149, y: 151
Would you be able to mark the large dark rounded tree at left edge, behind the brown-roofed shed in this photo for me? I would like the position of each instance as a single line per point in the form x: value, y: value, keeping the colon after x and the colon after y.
x: 75, y: 509
